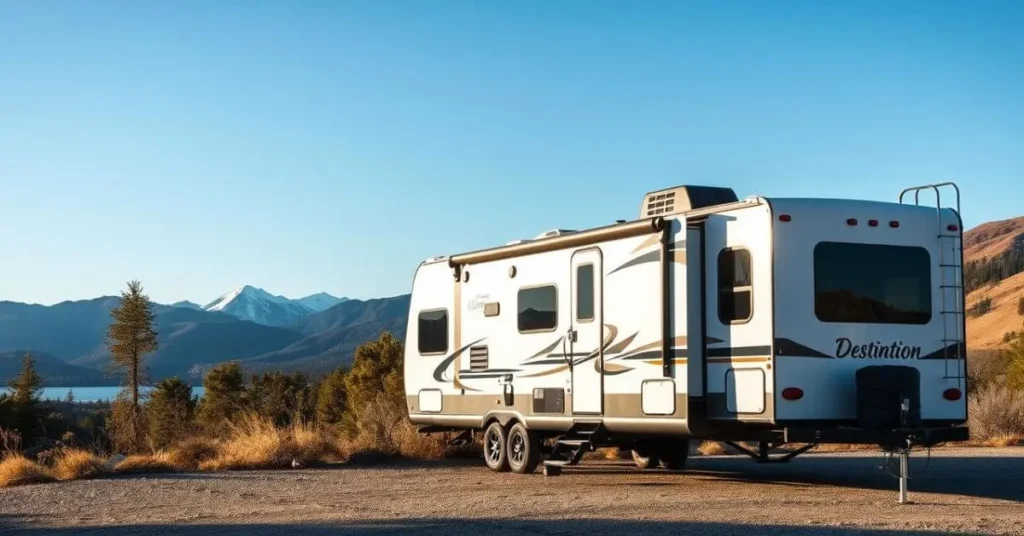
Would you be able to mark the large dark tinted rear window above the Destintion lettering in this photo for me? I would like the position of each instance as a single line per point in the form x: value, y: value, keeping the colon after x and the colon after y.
x: 872, y: 284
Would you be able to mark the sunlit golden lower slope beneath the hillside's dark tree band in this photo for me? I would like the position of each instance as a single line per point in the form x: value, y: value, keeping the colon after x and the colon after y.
x: 987, y: 332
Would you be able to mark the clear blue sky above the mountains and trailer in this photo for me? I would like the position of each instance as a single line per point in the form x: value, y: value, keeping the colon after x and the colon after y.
x: 332, y: 146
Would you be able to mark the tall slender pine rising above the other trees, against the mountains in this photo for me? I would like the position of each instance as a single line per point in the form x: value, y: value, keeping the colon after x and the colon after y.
x: 131, y: 338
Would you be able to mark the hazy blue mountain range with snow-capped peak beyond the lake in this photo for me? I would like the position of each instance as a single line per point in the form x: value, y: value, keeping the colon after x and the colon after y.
x: 313, y: 335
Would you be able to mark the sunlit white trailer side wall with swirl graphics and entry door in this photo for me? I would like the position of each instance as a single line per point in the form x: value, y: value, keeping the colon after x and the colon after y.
x: 507, y: 353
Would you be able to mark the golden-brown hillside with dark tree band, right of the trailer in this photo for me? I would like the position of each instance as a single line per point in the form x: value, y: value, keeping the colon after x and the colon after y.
x: 994, y: 256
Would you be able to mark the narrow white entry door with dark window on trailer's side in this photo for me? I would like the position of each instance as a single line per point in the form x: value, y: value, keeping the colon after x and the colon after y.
x: 586, y: 332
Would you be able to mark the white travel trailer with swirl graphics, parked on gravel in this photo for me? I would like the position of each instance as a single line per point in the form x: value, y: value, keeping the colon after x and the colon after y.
x: 764, y: 320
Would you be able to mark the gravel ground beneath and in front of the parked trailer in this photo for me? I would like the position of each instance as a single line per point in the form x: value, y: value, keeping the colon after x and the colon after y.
x: 956, y: 491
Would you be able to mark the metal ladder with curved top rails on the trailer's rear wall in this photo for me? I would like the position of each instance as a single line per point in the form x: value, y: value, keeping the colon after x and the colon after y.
x: 951, y: 284
